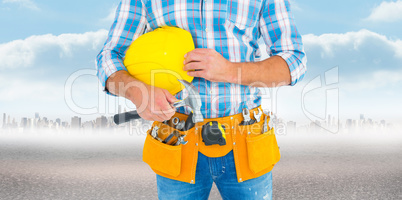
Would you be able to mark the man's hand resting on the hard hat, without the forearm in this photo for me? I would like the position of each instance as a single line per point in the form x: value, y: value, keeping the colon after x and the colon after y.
x: 210, y: 65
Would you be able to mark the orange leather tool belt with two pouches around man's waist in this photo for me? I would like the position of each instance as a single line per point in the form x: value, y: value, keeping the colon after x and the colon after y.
x: 255, y: 153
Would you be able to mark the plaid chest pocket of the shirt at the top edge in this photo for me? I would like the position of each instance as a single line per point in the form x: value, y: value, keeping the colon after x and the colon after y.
x: 243, y: 14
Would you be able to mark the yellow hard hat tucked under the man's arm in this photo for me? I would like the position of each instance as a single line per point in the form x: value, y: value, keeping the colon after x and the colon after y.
x: 156, y: 58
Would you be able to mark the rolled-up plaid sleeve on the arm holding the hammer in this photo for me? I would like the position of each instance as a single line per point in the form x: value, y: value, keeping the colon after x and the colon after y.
x: 128, y: 25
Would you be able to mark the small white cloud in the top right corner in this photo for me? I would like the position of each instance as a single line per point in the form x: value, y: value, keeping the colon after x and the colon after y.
x: 387, y: 12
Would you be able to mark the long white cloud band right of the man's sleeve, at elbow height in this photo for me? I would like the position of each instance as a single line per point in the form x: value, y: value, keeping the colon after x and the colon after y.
x: 330, y: 44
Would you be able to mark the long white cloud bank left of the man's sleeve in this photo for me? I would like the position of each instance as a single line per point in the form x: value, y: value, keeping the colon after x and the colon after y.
x: 24, y: 53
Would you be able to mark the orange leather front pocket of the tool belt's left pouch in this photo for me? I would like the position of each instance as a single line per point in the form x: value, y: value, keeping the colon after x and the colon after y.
x: 162, y: 157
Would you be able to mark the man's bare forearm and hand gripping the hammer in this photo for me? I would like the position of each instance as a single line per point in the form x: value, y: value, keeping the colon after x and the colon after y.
x: 152, y: 103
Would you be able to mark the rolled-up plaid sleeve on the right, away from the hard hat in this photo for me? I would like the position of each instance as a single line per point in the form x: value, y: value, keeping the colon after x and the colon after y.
x: 282, y: 38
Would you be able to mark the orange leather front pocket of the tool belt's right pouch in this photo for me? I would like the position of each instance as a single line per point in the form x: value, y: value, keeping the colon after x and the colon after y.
x: 263, y: 151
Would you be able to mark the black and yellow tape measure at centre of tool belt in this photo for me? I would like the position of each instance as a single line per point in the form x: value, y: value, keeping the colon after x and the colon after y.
x: 213, y: 133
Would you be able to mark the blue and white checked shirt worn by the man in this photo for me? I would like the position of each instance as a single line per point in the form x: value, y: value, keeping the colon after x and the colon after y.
x: 232, y: 28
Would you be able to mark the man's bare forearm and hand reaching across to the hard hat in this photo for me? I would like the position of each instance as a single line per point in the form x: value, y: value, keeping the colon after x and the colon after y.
x: 209, y: 64
